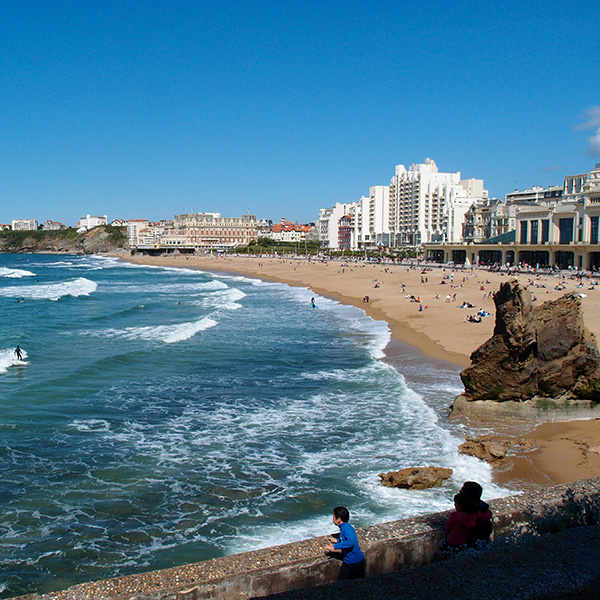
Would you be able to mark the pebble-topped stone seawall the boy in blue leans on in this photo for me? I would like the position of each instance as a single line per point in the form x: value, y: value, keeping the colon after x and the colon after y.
x: 388, y: 547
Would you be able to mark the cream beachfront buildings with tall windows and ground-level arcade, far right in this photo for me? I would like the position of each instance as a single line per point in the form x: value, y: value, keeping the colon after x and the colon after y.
x: 558, y: 226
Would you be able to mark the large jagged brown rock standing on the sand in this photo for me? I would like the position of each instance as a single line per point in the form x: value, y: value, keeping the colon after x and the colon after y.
x: 535, y: 352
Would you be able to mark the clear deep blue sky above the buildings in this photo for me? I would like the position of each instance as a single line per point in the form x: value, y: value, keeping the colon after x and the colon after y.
x: 147, y: 109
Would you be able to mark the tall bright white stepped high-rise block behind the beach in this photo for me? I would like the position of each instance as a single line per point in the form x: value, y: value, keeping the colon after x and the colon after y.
x: 420, y: 205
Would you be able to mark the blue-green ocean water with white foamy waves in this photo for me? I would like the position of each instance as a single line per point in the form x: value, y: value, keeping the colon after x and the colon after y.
x: 162, y: 416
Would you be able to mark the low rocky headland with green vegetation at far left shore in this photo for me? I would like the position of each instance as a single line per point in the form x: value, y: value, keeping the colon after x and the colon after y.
x: 100, y: 239
